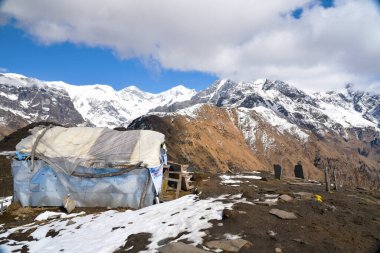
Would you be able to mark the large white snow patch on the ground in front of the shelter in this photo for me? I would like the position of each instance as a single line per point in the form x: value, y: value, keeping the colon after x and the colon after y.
x: 107, y: 231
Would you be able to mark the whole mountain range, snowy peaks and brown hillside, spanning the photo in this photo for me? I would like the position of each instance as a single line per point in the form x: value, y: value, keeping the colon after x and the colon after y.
x: 228, y: 126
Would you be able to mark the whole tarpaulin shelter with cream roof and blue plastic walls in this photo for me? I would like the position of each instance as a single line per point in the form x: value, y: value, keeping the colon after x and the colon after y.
x: 94, y: 166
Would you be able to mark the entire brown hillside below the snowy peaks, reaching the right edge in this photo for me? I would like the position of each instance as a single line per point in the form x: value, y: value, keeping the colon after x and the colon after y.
x: 213, y: 140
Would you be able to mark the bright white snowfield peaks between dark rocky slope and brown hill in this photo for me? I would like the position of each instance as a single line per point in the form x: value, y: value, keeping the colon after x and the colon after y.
x: 103, y: 106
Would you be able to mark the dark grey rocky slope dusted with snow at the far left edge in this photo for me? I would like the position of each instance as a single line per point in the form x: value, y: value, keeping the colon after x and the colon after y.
x: 24, y: 100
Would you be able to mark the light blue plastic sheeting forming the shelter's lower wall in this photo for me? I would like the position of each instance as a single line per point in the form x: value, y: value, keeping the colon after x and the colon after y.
x: 45, y: 186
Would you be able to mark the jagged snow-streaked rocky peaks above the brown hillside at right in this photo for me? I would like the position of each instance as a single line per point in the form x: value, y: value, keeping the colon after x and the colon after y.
x: 278, y: 101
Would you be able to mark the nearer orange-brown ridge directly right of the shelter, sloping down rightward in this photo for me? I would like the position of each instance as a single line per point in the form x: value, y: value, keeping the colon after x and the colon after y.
x: 209, y: 142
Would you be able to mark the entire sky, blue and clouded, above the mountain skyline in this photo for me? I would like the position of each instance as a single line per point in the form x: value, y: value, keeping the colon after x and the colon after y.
x: 315, y: 45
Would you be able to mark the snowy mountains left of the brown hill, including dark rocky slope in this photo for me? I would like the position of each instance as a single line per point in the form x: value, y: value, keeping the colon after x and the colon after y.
x: 24, y: 100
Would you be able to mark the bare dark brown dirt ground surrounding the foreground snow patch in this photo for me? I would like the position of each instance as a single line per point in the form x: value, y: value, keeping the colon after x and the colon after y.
x: 345, y: 221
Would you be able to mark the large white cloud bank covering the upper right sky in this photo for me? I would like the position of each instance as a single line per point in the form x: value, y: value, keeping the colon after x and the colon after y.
x: 240, y: 39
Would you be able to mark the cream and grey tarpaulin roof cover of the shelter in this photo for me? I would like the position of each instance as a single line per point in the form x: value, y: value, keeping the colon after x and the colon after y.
x: 65, y: 149
